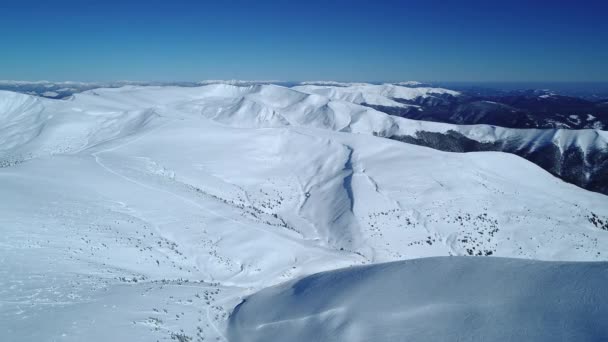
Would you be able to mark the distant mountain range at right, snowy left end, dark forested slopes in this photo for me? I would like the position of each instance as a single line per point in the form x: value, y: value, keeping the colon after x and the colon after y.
x: 522, y: 108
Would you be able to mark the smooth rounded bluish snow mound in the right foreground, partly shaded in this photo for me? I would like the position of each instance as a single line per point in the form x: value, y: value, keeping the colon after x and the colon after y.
x: 435, y: 299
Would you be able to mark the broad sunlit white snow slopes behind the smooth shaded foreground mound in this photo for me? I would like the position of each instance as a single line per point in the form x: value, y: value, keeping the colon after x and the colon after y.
x: 147, y: 213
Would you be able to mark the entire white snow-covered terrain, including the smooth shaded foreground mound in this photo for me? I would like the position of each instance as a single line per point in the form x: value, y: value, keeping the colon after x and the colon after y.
x: 150, y: 213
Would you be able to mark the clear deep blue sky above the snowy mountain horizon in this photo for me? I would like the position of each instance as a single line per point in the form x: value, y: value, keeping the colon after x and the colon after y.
x: 533, y: 40
